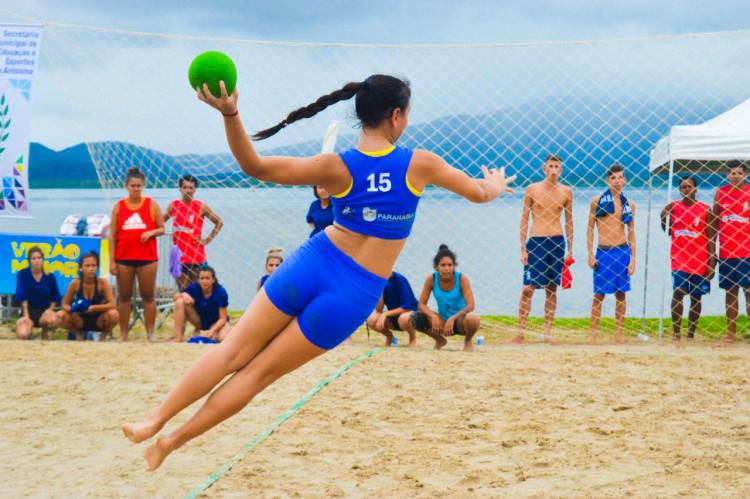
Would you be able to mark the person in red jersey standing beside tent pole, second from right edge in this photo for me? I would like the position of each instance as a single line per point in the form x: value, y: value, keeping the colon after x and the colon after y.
x: 692, y: 227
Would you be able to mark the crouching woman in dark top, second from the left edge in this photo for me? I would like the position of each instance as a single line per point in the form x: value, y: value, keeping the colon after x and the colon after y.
x: 89, y: 304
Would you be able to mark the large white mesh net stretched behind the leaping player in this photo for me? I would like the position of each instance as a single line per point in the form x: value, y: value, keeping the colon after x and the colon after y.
x: 591, y: 103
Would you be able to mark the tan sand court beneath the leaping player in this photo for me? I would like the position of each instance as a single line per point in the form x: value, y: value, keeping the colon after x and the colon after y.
x: 508, y: 421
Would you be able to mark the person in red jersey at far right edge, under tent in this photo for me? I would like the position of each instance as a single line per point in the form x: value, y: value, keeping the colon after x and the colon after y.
x: 732, y: 207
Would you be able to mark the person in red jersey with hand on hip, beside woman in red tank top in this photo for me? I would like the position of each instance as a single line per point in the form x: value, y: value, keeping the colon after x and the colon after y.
x: 188, y: 215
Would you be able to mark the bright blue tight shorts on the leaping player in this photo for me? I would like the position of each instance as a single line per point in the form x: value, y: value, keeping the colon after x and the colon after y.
x: 329, y: 293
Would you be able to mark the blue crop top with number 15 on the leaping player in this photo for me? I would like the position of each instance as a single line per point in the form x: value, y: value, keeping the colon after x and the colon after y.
x: 379, y: 202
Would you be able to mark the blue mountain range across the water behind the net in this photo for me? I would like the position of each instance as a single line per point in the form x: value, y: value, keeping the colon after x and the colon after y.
x: 588, y: 133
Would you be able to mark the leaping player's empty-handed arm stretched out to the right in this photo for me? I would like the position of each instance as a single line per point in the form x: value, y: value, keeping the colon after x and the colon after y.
x: 428, y: 168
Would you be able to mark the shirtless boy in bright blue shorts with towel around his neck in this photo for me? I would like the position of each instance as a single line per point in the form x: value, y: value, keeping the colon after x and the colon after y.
x: 613, y: 217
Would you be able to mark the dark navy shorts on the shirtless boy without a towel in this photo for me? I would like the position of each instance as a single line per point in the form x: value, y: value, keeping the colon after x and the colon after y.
x: 546, y: 258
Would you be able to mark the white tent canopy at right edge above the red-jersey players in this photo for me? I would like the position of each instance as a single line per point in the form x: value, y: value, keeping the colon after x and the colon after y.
x: 723, y: 138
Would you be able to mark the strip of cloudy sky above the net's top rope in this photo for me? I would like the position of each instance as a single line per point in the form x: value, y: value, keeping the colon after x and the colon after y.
x: 397, y: 21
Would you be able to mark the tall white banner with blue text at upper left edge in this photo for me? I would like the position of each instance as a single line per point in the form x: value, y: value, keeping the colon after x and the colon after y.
x: 19, y: 54
